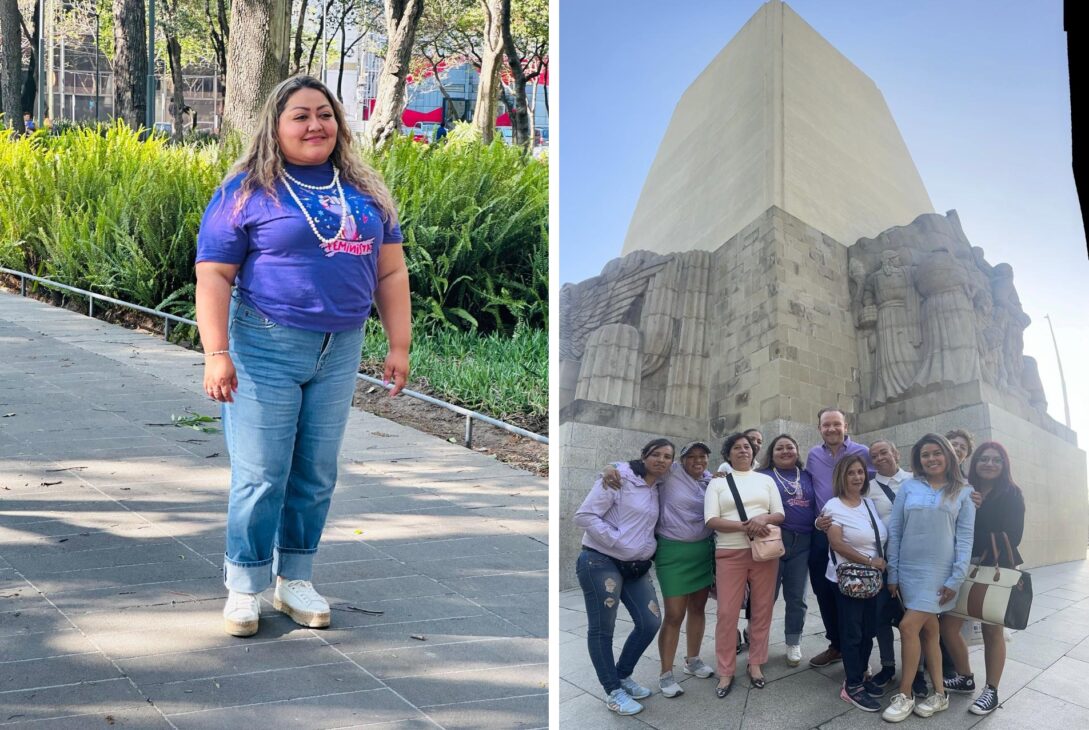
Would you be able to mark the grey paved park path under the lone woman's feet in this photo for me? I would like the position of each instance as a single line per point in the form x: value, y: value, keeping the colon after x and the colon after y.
x: 112, y: 536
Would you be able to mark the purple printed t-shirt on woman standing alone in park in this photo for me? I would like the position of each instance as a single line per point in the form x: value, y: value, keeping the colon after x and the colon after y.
x: 285, y: 272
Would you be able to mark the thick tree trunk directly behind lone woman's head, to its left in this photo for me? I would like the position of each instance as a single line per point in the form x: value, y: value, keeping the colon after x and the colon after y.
x: 256, y: 60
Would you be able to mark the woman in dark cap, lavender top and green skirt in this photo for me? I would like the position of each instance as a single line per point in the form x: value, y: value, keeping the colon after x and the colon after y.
x: 684, y: 562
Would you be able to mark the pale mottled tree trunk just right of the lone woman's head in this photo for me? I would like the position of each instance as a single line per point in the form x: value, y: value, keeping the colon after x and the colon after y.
x: 402, y: 17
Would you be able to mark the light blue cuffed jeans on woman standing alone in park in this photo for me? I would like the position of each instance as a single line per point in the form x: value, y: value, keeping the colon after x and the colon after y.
x: 284, y: 434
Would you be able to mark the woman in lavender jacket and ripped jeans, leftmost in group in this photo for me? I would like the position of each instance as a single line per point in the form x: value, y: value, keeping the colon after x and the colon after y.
x: 618, y: 545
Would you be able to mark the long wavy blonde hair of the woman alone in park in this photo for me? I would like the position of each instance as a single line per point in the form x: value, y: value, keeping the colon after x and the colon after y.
x: 264, y: 162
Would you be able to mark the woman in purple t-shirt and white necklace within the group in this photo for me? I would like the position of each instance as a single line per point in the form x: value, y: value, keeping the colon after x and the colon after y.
x: 800, y: 505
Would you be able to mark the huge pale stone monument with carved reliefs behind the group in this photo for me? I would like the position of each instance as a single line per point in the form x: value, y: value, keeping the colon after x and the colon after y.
x: 750, y: 294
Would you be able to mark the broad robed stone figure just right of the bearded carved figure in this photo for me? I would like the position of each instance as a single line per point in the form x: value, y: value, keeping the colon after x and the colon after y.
x: 951, y: 349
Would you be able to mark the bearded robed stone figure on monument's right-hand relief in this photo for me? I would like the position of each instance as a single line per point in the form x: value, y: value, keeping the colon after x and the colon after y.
x: 892, y: 290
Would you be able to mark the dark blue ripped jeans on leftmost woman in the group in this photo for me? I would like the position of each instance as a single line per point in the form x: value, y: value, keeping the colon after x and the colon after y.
x: 602, y: 587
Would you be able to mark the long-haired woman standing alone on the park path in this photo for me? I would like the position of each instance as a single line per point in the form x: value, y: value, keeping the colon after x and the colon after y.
x: 307, y: 235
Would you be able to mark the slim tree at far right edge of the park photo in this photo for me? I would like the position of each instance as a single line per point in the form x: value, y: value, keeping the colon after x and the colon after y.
x: 529, y: 32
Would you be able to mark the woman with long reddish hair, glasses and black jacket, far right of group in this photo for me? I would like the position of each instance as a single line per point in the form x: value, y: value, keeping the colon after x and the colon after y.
x: 1001, y: 513
